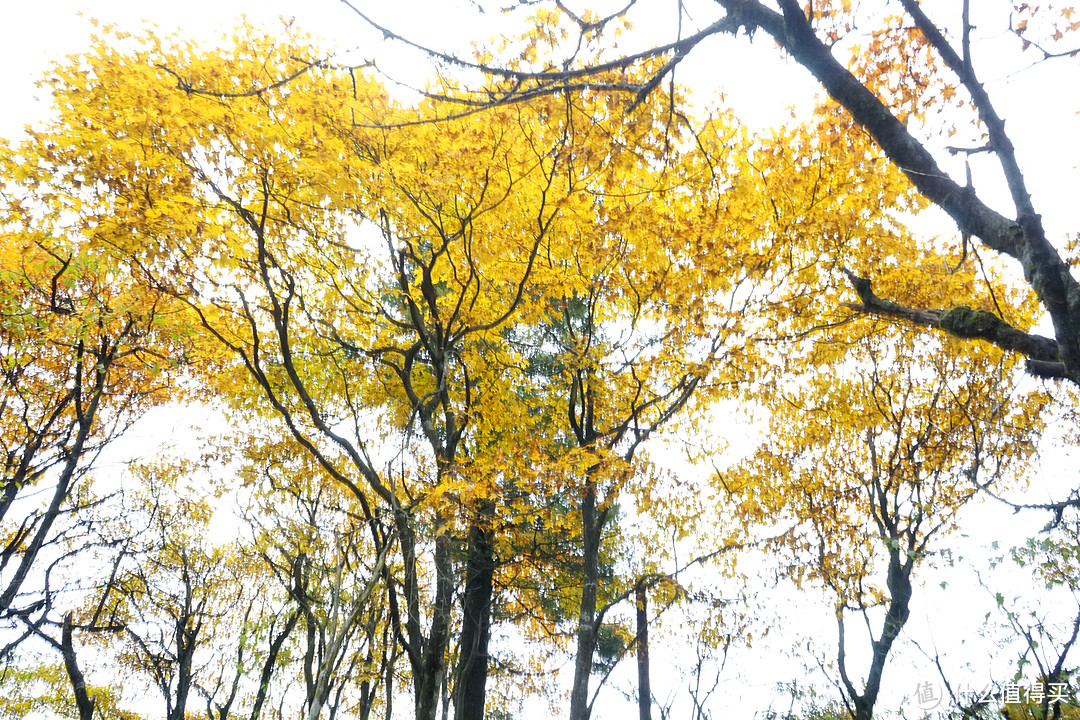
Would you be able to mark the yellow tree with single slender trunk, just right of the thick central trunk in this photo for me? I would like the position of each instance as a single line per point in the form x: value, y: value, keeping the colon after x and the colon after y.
x: 658, y: 302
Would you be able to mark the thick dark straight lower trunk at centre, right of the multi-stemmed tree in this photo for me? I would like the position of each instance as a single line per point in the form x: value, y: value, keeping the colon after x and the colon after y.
x: 476, y: 626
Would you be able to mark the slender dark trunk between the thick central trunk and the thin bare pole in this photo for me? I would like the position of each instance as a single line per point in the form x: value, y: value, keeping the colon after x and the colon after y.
x: 592, y: 523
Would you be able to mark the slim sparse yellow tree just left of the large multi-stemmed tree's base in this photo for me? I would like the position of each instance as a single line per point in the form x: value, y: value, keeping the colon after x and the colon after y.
x: 308, y: 534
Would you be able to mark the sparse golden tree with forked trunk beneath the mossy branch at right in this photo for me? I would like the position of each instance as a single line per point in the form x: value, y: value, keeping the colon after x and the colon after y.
x: 921, y: 442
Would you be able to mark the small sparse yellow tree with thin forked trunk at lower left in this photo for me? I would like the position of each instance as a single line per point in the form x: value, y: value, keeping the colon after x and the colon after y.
x: 175, y: 595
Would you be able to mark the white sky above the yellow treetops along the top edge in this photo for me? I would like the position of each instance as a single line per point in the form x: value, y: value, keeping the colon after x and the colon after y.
x: 754, y: 81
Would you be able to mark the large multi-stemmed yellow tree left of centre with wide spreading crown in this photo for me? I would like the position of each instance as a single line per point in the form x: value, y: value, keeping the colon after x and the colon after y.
x: 398, y: 327
